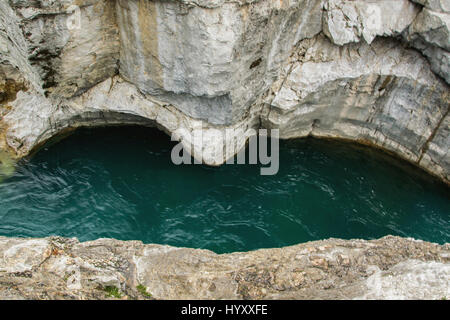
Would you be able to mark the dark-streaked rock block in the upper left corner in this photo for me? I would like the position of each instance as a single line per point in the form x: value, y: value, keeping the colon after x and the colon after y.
x: 63, y: 51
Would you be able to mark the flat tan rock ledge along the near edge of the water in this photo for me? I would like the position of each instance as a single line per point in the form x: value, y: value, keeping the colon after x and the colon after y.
x: 59, y: 268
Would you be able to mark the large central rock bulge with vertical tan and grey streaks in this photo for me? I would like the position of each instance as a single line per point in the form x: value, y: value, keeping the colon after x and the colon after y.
x: 211, y: 63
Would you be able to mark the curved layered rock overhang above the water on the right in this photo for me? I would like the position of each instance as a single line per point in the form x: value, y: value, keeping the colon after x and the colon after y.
x: 381, y: 94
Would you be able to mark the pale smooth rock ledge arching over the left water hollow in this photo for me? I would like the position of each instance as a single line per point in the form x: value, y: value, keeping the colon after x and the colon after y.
x: 34, y: 119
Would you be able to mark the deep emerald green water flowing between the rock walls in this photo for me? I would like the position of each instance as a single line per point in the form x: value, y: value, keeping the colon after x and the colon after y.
x: 120, y: 183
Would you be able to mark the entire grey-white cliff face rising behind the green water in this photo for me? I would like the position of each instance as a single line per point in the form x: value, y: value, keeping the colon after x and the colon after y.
x: 372, y: 71
